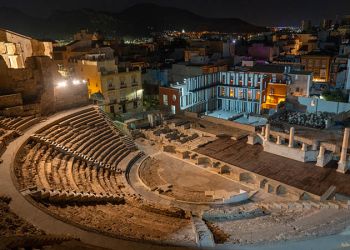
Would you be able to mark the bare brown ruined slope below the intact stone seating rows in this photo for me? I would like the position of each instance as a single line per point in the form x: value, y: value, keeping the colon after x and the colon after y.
x: 129, y: 222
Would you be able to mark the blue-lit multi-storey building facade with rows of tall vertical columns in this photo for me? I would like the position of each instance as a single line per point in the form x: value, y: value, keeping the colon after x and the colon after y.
x: 233, y: 91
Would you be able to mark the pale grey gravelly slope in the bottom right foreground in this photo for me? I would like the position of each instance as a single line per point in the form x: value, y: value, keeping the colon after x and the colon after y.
x: 284, y: 226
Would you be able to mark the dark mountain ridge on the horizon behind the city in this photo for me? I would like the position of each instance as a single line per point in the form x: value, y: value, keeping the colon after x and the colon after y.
x: 137, y: 20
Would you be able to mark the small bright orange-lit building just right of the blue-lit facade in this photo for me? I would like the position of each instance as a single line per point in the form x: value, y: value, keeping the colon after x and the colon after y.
x: 275, y: 94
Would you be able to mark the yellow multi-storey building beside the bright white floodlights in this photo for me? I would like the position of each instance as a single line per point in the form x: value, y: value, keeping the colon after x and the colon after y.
x: 121, y: 88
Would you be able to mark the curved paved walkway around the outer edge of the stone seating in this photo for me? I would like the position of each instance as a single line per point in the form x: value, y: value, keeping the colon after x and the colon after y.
x: 41, y: 219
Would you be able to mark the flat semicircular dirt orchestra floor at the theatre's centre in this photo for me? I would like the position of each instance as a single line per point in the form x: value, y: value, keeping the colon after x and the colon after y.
x: 189, y: 182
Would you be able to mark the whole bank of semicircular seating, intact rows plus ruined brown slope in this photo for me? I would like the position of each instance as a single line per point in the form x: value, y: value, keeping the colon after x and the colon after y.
x: 84, y: 159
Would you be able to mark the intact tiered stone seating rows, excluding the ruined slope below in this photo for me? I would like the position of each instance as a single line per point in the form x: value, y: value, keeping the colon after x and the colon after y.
x: 75, y: 159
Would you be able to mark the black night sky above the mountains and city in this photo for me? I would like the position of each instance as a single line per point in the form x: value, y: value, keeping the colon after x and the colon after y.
x: 260, y: 12
